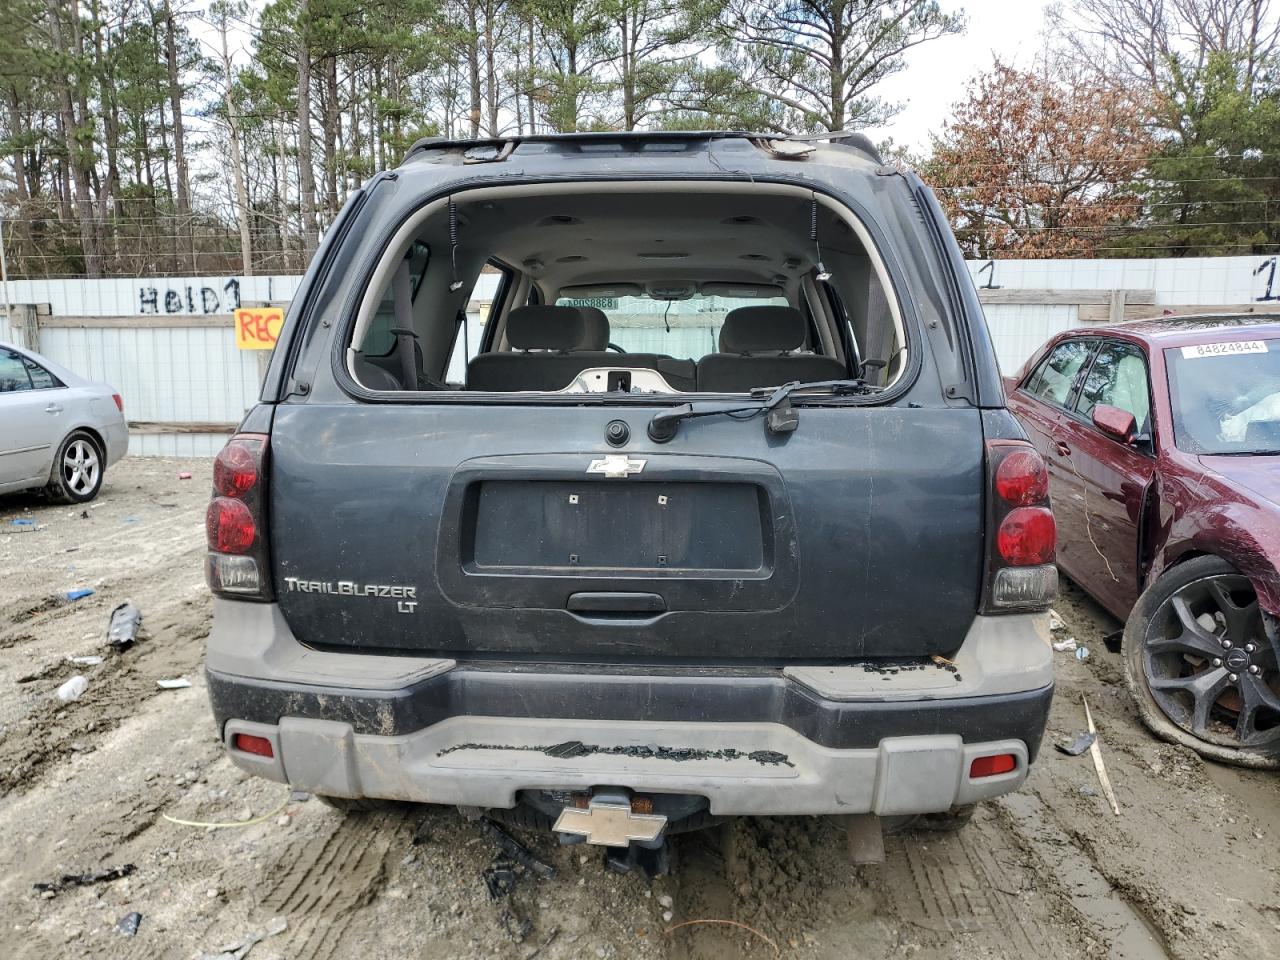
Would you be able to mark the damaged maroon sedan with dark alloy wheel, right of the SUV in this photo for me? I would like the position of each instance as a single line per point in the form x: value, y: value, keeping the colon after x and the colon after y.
x: 1163, y: 444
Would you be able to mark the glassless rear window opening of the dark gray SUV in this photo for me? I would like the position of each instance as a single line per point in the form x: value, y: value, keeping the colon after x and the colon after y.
x: 628, y: 290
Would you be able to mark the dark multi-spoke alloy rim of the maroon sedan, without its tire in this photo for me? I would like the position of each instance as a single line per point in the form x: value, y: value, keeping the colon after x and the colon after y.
x: 1213, y: 664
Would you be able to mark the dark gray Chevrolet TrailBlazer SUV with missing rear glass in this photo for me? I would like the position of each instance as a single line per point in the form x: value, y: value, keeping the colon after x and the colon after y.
x: 715, y: 509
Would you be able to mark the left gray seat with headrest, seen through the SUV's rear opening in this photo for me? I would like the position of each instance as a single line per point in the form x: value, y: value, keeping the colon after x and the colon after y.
x: 550, y: 346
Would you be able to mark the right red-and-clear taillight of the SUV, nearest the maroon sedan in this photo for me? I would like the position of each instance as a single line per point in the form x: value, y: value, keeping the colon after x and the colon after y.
x: 1021, y: 531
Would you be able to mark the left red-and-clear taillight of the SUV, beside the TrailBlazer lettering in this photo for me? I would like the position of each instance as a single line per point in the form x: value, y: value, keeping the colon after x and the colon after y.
x: 236, y: 522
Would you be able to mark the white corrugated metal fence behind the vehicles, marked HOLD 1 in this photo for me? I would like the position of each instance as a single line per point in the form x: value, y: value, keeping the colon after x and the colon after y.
x: 188, y: 371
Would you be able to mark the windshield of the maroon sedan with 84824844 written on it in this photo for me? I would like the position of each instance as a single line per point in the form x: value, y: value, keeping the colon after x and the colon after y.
x: 1226, y: 397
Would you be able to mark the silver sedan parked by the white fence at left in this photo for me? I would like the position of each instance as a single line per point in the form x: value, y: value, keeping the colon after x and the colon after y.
x: 58, y: 431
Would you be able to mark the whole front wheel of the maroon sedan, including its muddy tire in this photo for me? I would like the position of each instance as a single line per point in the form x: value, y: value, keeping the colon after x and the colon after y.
x: 1172, y: 687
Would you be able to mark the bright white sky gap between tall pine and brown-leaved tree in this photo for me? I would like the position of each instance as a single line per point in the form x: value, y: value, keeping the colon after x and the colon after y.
x: 938, y: 72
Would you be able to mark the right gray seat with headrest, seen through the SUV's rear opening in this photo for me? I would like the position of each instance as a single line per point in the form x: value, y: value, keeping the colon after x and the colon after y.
x: 757, y: 348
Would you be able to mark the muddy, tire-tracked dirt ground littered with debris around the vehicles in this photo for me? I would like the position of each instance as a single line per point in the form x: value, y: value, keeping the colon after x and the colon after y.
x: 1191, y: 868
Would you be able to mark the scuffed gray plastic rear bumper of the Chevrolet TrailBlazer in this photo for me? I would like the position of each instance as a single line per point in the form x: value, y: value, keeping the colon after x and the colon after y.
x: 825, y: 740
